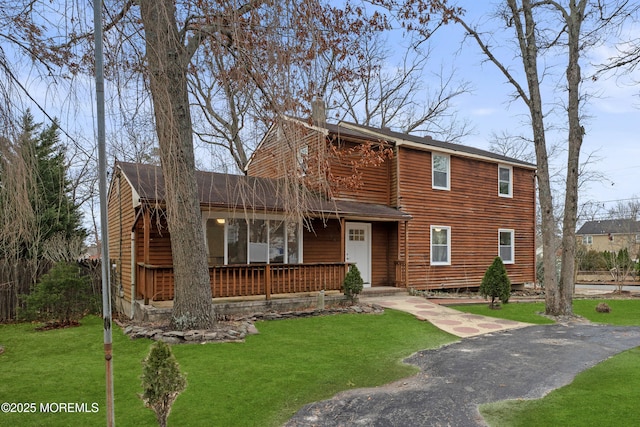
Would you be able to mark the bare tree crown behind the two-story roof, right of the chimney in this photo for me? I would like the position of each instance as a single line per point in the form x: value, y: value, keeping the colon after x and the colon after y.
x: 384, y: 93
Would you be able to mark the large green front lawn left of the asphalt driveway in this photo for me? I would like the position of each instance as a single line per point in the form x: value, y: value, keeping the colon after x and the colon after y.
x: 257, y: 383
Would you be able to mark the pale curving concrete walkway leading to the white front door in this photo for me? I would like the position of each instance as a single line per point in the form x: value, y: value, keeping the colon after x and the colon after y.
x: 449, y: 320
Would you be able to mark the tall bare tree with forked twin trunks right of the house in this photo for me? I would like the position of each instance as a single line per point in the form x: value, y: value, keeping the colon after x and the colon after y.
x: 567, y: 32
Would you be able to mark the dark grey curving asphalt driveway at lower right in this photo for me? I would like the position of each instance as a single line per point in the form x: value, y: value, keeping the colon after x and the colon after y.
x: 520, y: 363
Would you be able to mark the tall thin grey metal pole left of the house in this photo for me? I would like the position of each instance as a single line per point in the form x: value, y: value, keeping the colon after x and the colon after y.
x: 104, y: 233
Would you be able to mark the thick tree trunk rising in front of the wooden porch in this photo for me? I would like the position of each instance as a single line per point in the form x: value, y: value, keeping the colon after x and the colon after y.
x: 167, y: 67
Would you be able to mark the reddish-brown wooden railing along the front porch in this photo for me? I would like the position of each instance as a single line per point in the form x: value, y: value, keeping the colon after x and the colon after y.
x: 155, y: 282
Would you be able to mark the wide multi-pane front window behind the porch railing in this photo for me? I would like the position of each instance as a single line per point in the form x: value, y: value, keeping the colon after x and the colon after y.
x: 237, y: 241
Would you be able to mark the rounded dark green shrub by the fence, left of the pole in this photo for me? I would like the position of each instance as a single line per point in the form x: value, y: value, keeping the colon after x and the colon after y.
x: 62, y: 296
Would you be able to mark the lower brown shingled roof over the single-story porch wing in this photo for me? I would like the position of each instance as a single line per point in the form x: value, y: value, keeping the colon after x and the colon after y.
x: 245, y: 192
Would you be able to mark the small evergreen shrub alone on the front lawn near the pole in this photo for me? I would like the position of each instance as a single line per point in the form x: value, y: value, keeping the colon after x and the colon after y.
x: 162, y: 381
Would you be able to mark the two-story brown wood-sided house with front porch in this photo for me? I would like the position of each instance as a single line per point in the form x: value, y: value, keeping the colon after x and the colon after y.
x: 432, y: 215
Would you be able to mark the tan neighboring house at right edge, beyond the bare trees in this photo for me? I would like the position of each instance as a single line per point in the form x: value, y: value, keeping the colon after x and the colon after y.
x: 611, y: 235
